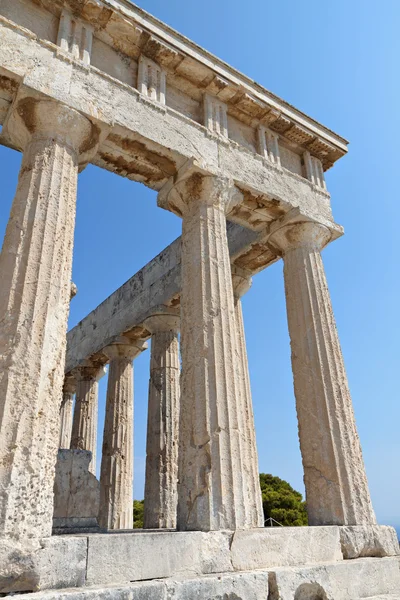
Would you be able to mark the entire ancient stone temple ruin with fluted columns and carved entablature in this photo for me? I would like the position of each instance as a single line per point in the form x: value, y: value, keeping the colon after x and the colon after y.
x: 102, y: 82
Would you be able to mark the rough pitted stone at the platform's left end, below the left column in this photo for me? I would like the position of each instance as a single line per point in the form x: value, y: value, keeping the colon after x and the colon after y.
x: 55, y: 563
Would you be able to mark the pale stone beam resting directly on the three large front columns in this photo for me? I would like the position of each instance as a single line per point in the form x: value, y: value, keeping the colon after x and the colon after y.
x: 148, y: 142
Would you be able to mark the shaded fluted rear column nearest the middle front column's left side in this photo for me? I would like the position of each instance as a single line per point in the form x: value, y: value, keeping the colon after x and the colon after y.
x: 161, y: 494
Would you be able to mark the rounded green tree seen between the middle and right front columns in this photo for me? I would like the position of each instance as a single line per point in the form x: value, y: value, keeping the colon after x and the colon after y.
x: 281, y: 502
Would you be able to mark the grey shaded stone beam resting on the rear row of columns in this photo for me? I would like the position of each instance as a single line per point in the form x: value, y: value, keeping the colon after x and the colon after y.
x: 157, y: 284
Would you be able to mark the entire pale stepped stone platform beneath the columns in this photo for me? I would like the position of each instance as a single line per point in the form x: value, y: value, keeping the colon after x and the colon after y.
x: 266, y: 564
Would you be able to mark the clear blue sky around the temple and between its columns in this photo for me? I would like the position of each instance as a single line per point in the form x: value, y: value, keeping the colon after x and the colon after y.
x: 338, y: 62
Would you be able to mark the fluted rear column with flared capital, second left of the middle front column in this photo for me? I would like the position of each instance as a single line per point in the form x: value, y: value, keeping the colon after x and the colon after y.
x: 116, y: 479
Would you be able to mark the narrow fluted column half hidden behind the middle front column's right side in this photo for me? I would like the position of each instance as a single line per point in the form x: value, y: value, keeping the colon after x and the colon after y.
x: 241, y: 281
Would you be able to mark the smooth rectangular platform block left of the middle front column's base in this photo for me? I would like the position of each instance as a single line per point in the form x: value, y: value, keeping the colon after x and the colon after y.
x: 119, y: 558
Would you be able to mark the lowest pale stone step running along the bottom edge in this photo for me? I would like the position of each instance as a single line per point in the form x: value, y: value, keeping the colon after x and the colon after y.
x: 358, y: 579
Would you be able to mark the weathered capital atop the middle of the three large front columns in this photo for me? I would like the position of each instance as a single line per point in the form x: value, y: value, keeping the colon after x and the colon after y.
x: 195, y: 185
